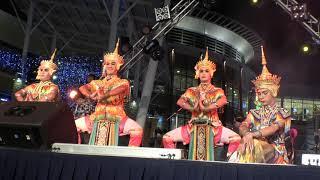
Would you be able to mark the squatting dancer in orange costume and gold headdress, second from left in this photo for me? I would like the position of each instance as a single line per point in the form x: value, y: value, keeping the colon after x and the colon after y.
x: 109, y: 119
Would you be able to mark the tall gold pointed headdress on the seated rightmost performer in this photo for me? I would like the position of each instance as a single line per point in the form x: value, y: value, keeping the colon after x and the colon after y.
x: 267, y: 80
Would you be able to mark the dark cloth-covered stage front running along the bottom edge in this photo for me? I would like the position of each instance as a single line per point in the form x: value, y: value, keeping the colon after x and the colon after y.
x: 28, y: 164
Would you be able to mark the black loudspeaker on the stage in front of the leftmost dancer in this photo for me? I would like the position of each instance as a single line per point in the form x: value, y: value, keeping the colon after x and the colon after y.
x: 36, y: 124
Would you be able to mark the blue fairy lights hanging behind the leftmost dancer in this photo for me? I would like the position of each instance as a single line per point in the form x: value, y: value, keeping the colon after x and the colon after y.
x: 72, y: 72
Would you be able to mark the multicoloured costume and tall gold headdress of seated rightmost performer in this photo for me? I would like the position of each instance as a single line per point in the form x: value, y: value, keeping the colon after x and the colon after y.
x: 271, y: 148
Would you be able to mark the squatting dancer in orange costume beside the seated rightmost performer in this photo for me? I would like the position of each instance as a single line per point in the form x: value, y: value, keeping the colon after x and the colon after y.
x: 204, y: 131
